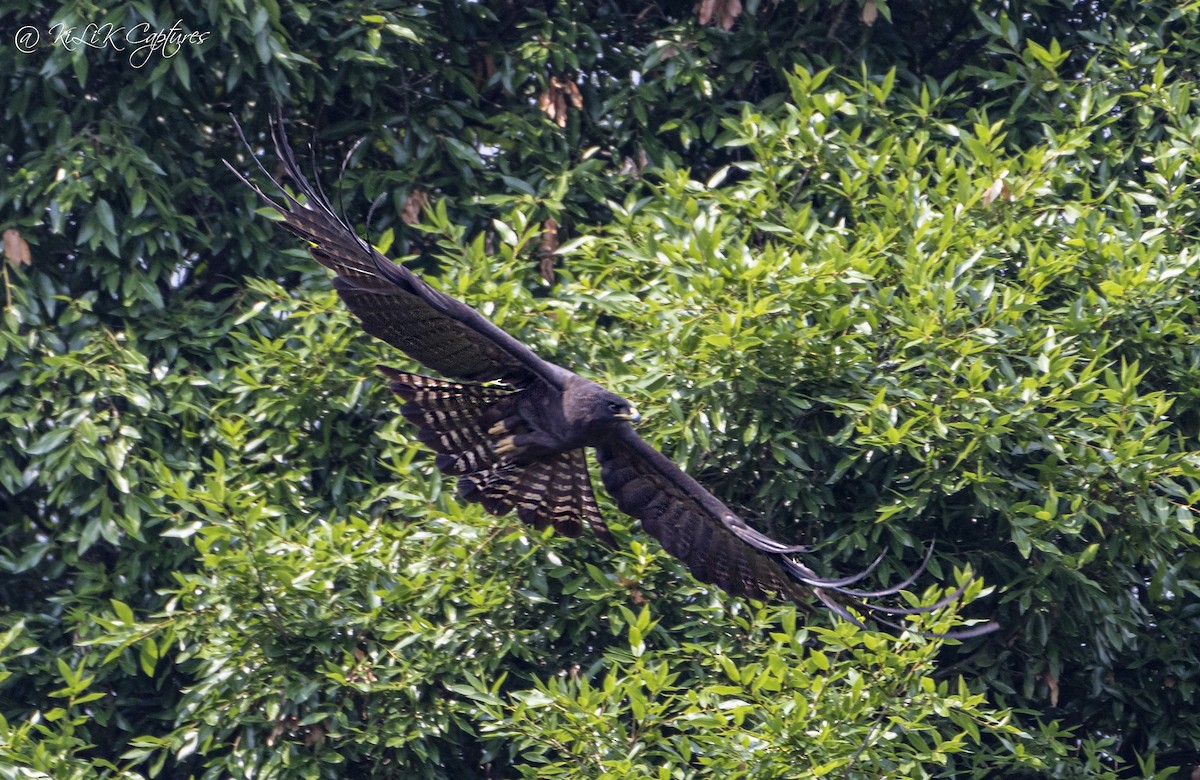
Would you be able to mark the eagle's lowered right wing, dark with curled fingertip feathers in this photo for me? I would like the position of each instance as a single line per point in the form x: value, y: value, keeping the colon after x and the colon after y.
x: 719, y: 547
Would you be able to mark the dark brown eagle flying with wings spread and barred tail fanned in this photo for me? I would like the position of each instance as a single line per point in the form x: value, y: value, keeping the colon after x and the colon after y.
x: 513, y: 428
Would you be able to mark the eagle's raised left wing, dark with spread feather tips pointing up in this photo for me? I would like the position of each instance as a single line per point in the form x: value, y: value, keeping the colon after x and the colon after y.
x: 393, y: 303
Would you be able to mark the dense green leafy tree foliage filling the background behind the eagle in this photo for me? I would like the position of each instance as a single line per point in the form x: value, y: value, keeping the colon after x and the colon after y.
x: 875, y: 274
